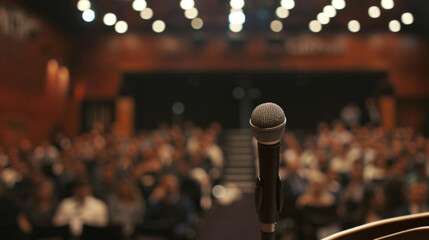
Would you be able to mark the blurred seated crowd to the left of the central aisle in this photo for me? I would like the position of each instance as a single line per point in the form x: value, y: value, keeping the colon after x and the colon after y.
x: 156, y: 182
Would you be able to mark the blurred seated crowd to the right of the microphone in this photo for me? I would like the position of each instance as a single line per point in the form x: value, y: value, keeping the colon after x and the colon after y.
x: 347, y: 174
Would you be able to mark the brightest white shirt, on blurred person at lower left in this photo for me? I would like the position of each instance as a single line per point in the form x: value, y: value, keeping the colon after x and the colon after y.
x: 91, y: 211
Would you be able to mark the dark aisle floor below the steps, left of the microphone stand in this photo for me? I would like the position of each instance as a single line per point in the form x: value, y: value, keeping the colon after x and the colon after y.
x: 237, y: 221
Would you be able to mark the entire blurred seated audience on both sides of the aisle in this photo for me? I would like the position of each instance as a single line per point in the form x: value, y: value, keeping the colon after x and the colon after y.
x: 162, y: 179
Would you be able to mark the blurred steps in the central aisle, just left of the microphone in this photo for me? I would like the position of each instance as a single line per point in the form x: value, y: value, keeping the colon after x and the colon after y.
x: 240, y: 159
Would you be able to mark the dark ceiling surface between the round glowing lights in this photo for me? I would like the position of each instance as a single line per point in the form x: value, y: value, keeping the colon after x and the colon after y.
x: 259, y: 14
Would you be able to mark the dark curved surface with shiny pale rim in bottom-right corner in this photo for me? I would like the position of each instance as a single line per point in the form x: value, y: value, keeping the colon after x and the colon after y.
x: 384, y: 228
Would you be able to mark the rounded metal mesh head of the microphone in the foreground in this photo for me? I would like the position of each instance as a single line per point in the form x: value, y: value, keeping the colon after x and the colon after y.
x: 268, y: 123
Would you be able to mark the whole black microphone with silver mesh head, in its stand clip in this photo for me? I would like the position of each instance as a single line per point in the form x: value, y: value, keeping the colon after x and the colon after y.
x: 268, y: 122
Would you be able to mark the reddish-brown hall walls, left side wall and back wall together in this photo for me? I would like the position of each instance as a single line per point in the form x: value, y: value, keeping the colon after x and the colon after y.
x: 98, y: 62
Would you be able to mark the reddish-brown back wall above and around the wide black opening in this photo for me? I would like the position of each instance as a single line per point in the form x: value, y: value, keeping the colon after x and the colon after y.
x: 404, y: 57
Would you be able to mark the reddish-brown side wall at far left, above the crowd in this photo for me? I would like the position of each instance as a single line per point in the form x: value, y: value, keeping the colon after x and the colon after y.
x: 25, y: 109
